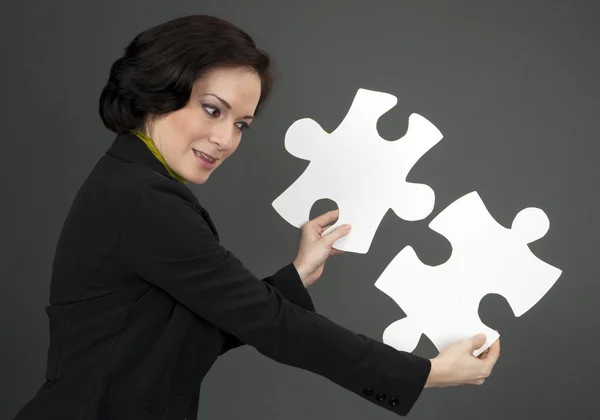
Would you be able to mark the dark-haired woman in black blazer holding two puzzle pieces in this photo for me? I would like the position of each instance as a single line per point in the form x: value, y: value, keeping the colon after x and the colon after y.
x: 143, y: 297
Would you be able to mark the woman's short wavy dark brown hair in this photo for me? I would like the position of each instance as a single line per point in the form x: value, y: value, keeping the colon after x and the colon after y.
x: 160, y: 65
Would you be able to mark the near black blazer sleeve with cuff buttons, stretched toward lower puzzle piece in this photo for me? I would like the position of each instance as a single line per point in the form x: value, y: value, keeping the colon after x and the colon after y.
x: 166, y: 241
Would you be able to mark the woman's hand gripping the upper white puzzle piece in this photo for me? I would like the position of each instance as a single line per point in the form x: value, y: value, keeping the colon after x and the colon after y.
x: 314, y: 249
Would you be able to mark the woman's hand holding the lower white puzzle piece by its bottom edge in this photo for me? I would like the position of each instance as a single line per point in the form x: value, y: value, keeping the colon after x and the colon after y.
x: 456, y: 365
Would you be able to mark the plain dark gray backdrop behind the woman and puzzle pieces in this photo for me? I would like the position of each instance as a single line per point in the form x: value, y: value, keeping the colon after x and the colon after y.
x: 512, y: 85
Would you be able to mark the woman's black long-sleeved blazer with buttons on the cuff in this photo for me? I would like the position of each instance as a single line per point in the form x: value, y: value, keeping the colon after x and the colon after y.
x: 144, y: 299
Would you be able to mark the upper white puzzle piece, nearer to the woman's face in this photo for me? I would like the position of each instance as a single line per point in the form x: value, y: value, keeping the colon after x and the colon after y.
x: 363, y: 173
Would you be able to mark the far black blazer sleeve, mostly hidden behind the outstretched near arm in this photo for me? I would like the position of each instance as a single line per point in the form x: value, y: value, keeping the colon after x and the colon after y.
x: 287, y: 281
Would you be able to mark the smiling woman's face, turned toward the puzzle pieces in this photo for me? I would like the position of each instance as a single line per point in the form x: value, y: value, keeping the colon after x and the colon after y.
x: 196, y: 139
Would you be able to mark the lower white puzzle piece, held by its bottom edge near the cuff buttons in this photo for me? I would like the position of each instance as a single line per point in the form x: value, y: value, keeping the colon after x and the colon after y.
x: 442, y: 301
